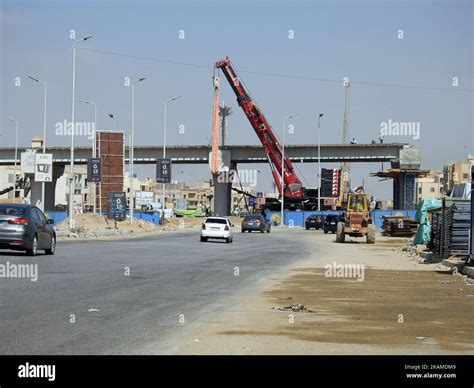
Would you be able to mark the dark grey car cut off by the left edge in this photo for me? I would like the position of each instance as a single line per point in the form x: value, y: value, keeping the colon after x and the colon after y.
x: 25, y: 228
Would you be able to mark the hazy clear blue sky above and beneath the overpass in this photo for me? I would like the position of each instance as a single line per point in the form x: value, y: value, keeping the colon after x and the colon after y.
x: 331, y: 40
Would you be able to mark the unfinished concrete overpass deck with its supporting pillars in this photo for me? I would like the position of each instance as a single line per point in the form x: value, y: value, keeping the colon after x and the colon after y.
x: 234, y: 155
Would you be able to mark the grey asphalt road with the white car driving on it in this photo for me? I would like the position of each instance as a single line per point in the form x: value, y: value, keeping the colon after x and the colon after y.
x: 175, y: 282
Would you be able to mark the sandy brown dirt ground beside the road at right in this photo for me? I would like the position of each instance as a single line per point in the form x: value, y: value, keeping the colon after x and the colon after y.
x: 400, y: 307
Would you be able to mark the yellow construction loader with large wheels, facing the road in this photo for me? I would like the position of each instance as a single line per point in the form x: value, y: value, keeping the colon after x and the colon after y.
x: 356, y: 220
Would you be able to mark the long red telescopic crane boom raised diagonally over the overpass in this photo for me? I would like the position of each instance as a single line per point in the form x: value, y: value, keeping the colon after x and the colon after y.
x: 292, y: 184
